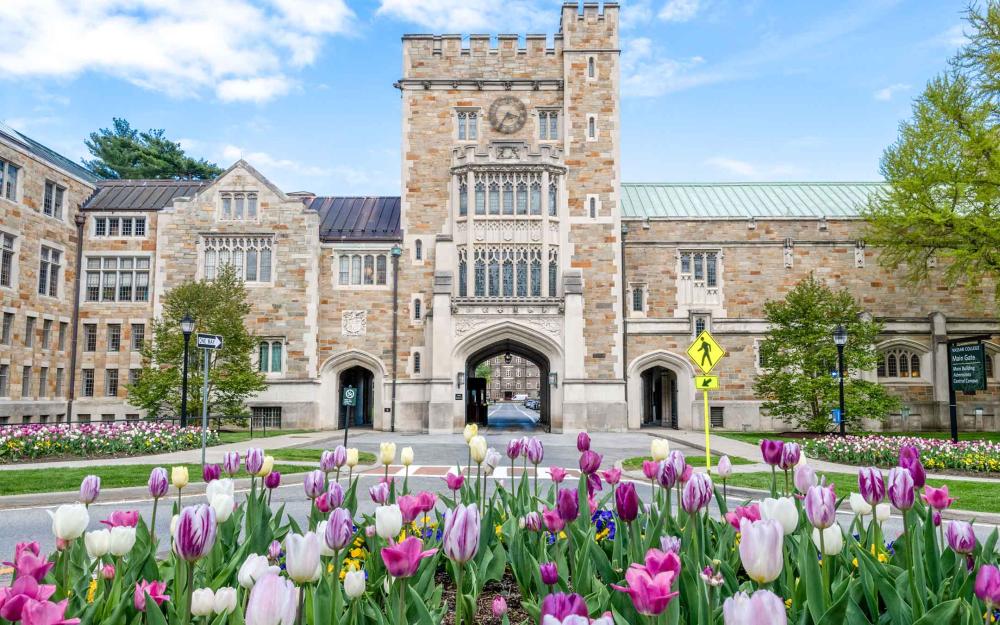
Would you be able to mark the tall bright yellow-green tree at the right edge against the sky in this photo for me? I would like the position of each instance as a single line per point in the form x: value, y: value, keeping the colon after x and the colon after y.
x: 942, y: 204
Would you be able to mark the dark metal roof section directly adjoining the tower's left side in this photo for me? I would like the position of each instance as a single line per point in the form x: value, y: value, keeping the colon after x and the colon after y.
x: 357, y: 218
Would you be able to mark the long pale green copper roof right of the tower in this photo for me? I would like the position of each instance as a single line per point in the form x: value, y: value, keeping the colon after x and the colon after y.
x: 738, y: 200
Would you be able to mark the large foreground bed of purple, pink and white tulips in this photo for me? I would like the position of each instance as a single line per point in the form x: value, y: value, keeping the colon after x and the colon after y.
x: 588, y: 552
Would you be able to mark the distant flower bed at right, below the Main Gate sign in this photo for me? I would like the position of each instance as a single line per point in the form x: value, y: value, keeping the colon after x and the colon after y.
x: 977, y: 456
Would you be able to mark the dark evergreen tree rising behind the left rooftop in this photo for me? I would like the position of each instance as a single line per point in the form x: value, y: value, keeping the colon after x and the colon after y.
x: 124, y: 152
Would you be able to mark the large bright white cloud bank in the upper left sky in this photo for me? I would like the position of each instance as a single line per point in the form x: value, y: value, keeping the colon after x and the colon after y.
x: 238, y: 49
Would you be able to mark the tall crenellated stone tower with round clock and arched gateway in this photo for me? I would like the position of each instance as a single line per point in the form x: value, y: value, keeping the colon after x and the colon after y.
x: 510, y: 211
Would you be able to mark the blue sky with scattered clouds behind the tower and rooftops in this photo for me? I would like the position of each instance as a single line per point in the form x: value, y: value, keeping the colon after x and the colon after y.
x: 713, y: 90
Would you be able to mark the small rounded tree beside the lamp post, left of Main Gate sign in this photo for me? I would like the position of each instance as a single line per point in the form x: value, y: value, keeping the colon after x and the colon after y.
x: 799, y: 358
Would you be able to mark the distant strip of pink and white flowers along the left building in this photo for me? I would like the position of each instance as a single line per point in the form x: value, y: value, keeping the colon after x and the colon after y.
x: 131, y: 438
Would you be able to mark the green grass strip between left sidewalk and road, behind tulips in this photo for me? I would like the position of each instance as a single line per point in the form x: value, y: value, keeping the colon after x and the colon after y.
x: 25, y: 481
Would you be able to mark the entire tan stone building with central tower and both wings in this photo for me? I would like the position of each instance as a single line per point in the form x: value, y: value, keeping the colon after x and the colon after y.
x: 513, y: 234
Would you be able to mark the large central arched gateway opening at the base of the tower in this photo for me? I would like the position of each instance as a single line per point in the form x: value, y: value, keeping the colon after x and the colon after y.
x: 484, y: 395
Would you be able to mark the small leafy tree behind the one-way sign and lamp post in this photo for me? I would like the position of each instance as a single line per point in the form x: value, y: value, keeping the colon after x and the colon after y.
x: 217, y: 307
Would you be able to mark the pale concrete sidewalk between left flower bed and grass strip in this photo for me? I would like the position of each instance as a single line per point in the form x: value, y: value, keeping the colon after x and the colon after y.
x: 188, y: 456
